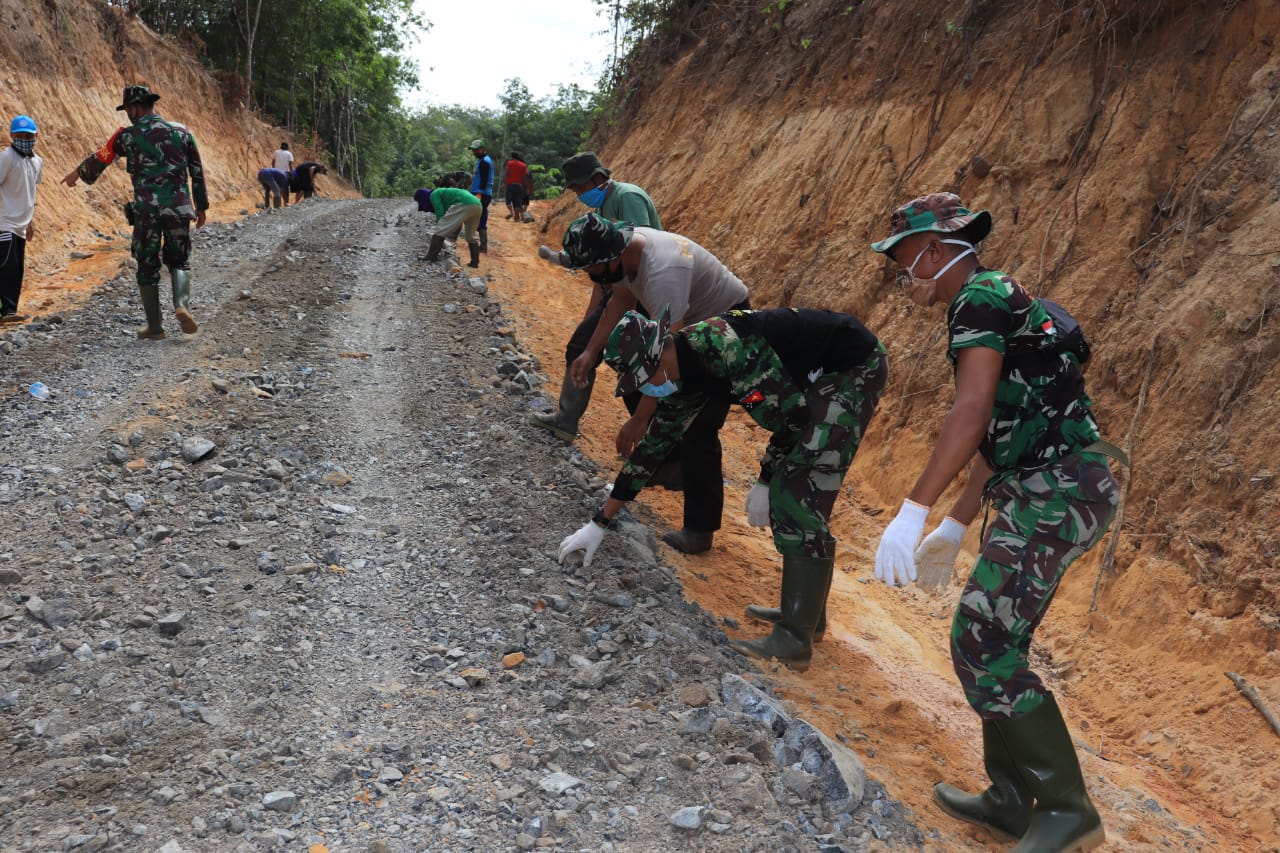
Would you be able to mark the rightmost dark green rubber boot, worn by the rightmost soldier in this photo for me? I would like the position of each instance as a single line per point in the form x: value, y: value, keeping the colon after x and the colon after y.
x: 1064, y: 818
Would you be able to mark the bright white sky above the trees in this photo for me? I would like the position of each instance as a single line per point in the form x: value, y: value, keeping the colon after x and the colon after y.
x: 476, y: 47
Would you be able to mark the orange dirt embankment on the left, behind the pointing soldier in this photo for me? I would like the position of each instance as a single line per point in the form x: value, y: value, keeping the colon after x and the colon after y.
x: 67, y: 63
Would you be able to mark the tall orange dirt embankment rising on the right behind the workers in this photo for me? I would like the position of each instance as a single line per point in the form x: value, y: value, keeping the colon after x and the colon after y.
x: 1130, y: 156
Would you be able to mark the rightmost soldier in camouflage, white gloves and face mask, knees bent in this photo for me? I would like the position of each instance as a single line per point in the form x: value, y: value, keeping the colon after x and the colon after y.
x: 1022, y: 416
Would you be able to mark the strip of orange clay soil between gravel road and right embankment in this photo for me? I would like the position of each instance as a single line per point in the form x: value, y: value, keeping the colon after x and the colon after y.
x: 883, y: 681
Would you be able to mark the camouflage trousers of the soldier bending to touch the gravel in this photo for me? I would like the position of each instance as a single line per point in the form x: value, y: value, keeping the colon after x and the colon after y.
x: 804, y: 487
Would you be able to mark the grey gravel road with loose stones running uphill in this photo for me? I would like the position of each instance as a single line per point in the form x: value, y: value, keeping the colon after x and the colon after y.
x: 292, y: 585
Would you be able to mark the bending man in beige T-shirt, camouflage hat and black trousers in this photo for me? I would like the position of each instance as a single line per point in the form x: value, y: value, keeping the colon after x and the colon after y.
x: 647, y: 267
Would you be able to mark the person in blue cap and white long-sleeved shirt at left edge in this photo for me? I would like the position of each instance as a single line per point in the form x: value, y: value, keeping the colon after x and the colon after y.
x: 20, y: 174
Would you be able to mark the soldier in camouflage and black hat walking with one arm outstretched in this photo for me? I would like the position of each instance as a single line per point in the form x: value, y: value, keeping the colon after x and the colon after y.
x: 159, y: 157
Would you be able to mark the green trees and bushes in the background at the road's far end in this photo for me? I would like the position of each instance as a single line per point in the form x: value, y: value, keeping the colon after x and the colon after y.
x: 335, y: 72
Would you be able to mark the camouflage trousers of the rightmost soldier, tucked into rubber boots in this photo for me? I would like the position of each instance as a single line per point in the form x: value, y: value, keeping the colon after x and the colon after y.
x: 1046, y: 519
